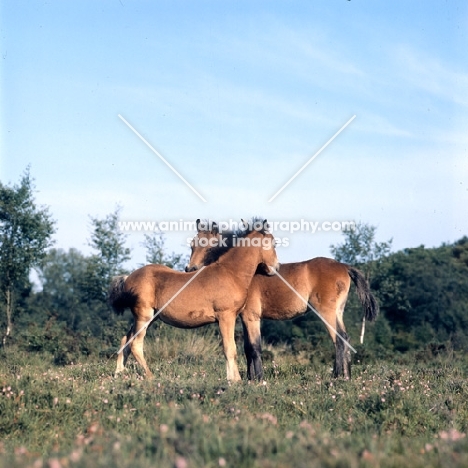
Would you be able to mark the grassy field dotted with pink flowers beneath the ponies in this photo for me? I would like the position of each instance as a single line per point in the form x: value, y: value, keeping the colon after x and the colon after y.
x: 389, y: 414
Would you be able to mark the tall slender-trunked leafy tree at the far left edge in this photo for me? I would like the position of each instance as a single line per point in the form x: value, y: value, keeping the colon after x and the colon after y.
x: 25, y: 233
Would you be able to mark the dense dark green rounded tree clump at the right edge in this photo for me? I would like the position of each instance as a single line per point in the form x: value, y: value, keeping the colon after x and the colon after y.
x: 424, y: 295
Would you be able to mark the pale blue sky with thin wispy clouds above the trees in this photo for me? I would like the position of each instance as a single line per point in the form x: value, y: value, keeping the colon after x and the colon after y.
x: 237, y: 96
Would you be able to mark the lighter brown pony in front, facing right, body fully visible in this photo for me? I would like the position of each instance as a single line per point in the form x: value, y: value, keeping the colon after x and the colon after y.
x: 190, y: 300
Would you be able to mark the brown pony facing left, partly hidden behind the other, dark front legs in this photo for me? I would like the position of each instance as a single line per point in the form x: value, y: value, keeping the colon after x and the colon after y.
x: 320, y: 284
